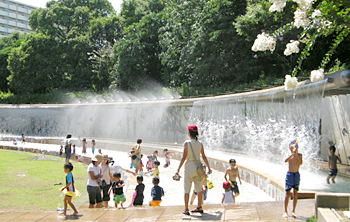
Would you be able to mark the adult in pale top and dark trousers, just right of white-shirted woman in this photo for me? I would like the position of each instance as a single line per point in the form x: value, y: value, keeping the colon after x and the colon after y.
x: 106, y: 179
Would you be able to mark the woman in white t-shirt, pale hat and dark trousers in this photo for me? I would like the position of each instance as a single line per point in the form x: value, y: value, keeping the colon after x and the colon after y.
x: 94, y: 173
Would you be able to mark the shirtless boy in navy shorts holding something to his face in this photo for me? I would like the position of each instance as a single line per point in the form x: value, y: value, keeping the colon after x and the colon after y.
x: 294, y: 161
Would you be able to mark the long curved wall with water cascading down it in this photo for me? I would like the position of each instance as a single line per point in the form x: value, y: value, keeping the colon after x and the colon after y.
x: 259, y: 124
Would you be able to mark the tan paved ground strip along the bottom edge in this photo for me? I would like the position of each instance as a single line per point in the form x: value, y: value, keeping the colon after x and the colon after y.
x: 262, y: 211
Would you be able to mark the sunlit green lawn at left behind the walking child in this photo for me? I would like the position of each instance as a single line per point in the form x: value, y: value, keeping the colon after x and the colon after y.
x: 36, y: 190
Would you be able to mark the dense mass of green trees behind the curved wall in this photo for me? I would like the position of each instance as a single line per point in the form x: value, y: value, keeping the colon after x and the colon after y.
x: 190, y: 46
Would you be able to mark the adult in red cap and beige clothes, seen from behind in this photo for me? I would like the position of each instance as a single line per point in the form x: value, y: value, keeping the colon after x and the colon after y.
x: 192, y: 151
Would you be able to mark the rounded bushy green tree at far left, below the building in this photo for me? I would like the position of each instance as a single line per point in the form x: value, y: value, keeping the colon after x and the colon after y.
x: 34, y: 69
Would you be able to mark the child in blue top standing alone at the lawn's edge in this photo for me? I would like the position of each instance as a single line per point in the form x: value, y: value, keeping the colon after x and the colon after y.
x: 68, y: 168
